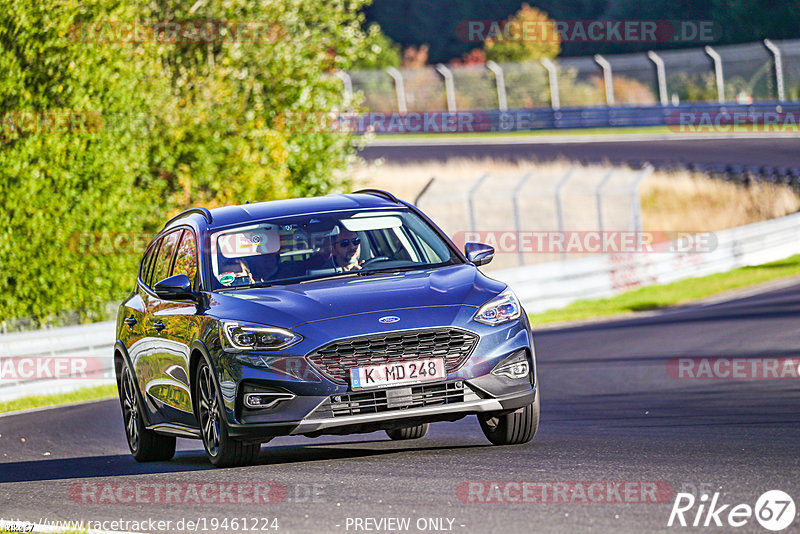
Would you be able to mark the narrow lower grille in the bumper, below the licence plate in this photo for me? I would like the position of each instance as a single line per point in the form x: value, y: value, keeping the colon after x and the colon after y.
x: 397, y: 399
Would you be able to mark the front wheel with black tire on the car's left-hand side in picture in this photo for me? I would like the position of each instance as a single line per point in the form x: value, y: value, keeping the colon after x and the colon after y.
x: 221, y: 449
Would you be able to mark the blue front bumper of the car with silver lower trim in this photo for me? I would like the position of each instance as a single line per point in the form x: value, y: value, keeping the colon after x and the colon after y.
x: 321, y: 406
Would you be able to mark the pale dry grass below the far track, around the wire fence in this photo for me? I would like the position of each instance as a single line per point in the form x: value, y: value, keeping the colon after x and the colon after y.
x: 670, y: 201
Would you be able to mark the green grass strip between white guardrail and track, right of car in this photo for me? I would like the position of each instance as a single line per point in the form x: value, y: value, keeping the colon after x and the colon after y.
x: 662, y: 296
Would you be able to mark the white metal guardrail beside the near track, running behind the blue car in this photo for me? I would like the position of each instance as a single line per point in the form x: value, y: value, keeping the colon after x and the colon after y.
x: 541, y: 287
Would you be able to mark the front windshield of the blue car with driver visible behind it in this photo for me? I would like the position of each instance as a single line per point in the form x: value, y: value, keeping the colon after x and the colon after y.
x: 311, y: 247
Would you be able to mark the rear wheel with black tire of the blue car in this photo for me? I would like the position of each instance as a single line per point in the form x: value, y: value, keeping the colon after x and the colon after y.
x: 145, y: 445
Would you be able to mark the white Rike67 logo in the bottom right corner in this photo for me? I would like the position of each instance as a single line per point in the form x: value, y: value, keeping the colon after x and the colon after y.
x: 774, y: 510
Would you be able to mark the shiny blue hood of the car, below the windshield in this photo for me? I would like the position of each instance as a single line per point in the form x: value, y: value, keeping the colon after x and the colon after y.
x: 293, y: 305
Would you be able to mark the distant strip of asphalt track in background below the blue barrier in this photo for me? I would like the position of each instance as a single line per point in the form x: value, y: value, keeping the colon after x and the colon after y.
x: 777, y: 151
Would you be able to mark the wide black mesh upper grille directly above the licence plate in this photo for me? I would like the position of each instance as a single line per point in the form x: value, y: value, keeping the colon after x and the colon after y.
x: 336, y: 359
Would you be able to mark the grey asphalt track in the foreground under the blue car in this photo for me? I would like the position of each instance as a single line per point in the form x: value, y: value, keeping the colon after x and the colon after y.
x: 611, y: 412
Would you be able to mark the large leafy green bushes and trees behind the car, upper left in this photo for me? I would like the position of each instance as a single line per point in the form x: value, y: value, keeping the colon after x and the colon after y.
x: 159, y: 127
